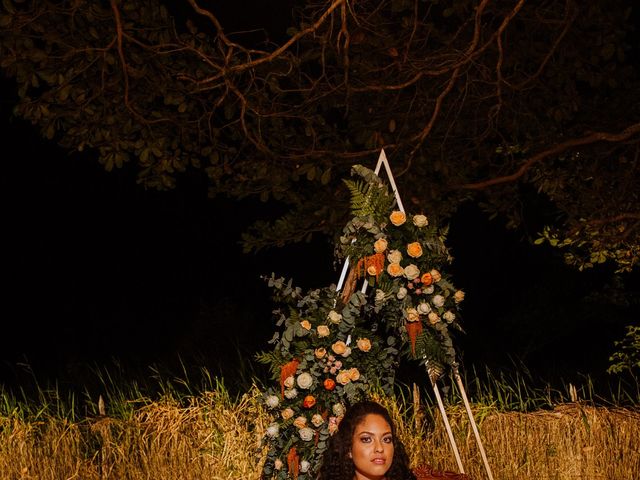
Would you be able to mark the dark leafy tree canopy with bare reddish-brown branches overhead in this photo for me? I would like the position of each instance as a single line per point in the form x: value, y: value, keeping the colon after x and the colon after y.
x: 504, y: 103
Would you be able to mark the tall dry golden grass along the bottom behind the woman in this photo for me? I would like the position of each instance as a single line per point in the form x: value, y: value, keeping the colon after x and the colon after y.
x: 212, y: 436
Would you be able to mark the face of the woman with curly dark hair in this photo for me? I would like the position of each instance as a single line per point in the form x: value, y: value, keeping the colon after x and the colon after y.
x: 372, y: 448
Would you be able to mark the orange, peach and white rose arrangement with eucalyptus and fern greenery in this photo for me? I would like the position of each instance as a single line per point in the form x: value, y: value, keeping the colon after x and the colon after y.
x: 333, y: 345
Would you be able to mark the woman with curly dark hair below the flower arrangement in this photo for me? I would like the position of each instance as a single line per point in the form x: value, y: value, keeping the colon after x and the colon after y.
x: 365, y: 447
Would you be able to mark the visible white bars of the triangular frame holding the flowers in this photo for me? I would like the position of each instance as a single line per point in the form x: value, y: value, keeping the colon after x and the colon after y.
x: 382, y: 161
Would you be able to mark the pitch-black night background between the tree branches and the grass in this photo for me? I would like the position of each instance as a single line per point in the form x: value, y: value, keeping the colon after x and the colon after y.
x: 95, y: 269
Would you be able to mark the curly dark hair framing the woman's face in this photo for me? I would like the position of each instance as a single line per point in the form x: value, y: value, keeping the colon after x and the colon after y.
x: 336, y: 462
